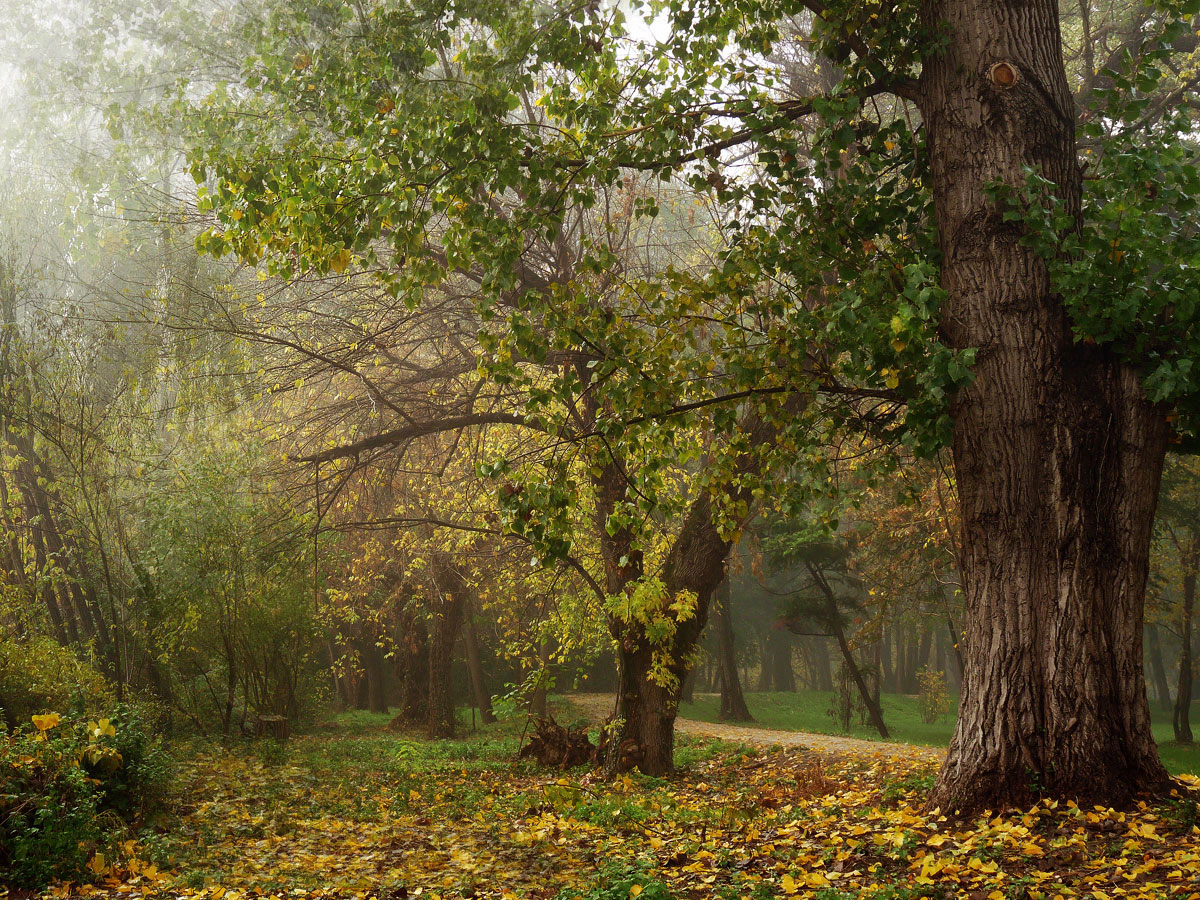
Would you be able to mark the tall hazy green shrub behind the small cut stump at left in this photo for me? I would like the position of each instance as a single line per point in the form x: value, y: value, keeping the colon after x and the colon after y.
x: 230, y: 591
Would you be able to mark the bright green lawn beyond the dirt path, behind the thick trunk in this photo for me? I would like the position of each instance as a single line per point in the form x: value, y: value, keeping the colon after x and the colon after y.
x: 806, y: 711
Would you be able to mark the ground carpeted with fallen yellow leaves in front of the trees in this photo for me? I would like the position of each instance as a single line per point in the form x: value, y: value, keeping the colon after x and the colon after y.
x: 356, y: 811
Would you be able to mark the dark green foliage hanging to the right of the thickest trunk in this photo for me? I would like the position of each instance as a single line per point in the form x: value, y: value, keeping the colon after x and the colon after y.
x: 1123, y: 277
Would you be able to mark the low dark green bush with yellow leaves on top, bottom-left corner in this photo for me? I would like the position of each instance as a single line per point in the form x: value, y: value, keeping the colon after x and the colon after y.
x: 65, y: 783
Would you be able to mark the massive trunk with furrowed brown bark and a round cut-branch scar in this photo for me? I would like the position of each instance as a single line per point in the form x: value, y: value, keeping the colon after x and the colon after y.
x: 1058, y: 453
